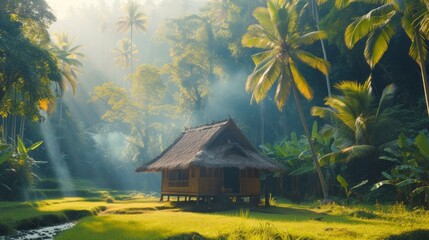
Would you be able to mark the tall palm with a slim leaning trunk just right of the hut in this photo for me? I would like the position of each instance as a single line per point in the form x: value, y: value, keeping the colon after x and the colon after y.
x: 277, y: 34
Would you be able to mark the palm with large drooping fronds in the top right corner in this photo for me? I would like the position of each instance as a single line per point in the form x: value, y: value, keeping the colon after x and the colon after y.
x: 378, y: 25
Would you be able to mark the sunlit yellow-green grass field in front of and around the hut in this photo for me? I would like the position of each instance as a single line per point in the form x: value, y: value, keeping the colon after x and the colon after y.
x: 147, y: 218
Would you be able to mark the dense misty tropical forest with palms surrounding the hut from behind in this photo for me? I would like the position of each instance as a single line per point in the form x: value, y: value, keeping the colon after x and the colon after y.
x: 110, y: 84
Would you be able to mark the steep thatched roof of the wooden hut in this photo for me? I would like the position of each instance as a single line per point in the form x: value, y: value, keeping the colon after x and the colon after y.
x: 220, y: 144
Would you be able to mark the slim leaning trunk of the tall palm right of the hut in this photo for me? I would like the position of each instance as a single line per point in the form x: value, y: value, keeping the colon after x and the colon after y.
x: 313, y: 150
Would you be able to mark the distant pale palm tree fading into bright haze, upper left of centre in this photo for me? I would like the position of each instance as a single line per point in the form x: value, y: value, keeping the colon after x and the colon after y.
x: 133, y: 18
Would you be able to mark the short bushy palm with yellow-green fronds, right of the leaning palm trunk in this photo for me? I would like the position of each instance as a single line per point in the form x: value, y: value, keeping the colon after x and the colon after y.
x: 356, y: 113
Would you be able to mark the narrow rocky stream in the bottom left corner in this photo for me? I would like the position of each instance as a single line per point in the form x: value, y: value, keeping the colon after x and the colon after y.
x: 45, y: 233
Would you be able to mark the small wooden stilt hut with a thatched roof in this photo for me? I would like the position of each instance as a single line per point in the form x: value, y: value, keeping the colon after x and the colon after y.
x: 210, y: 161
